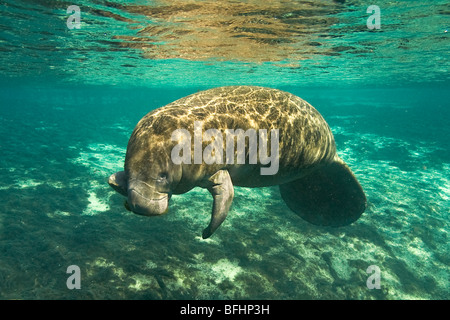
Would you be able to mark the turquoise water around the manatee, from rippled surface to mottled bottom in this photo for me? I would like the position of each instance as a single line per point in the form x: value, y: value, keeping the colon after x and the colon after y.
x: 71, y: 98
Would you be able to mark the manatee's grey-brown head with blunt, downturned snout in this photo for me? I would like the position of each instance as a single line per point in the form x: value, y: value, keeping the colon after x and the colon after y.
x: 148, y: 180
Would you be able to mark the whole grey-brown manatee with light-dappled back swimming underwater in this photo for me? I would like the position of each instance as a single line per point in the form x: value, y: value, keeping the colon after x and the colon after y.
x: 213, y: 139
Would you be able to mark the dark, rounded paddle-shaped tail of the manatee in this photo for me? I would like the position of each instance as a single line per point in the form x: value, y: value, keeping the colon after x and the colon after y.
x: 328, y: 196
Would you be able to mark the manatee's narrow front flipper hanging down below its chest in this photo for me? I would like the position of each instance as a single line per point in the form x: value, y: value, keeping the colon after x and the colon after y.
x: 221, y: 188
